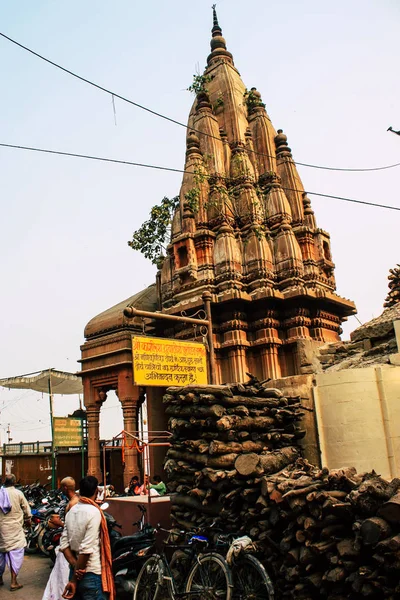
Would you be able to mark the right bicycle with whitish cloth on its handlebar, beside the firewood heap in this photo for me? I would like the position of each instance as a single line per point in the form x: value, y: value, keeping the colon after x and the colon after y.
x: 250, y: 578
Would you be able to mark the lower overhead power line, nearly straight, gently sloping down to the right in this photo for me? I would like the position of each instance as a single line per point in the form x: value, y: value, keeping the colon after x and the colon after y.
x: 160, y: 168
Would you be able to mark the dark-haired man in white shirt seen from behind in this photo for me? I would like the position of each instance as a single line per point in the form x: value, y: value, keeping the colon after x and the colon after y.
x: 80, y: 543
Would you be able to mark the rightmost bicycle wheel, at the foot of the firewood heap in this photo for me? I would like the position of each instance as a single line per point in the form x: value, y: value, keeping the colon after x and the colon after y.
x: 251, y: 580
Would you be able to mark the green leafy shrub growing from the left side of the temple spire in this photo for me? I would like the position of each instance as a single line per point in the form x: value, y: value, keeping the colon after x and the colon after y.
x: 153, y: 236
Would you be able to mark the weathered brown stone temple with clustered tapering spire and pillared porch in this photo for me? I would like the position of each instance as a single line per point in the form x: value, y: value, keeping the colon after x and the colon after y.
x: 244, y: 233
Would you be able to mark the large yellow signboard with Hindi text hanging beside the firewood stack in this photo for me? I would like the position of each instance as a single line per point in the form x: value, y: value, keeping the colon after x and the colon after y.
x: 164, y: 362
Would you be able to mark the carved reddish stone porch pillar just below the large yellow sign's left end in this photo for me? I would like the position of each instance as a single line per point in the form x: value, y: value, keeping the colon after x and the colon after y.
x: 128, y: 395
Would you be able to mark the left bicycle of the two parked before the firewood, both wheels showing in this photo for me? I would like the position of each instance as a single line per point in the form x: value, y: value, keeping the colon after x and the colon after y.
x: 201, y: 575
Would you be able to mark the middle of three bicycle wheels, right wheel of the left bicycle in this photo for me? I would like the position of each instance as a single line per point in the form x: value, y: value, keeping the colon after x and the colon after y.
x: 210, y: 578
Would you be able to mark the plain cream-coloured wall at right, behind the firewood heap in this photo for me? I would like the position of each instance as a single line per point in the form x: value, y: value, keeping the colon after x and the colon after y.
x: 358, y: 419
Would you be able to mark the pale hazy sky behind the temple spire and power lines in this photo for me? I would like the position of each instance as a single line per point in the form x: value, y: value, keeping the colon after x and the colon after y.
x: 328, y: 74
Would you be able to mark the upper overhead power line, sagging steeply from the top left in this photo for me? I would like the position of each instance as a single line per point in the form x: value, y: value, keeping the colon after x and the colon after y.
x: 165, y: 117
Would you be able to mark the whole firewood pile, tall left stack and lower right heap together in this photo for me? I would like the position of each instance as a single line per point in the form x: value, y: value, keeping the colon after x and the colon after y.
x: 321, y: 534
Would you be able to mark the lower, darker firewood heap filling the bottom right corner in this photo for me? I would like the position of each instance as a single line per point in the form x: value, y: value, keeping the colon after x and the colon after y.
x: 330, y: 534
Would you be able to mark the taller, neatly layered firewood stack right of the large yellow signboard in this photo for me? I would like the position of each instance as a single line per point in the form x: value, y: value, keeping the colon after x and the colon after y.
x: 212, y: 427
